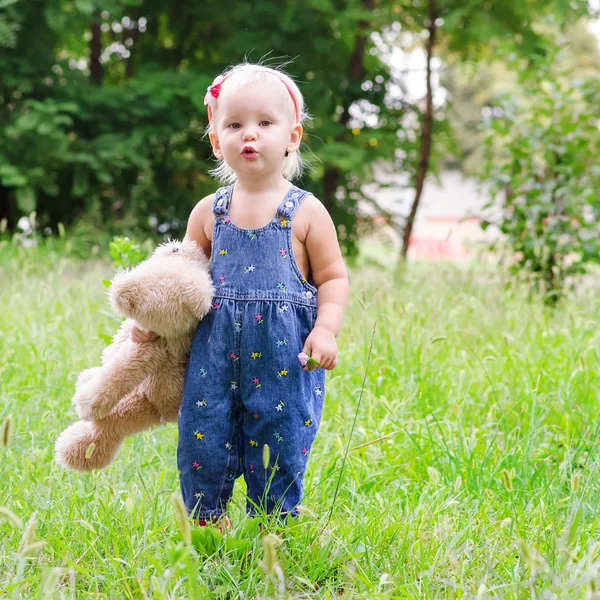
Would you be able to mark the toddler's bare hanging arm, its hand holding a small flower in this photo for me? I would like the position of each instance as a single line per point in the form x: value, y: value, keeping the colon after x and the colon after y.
x: 331, y: 278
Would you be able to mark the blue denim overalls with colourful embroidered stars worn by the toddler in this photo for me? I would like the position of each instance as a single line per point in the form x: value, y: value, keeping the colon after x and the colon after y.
x: 244, y: 386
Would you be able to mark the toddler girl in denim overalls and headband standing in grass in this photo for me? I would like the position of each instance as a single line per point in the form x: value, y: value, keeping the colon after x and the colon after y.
x: 281, y: 288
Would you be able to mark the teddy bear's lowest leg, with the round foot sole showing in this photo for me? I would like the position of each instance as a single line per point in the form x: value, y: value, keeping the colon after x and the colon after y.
x: 90, y: 445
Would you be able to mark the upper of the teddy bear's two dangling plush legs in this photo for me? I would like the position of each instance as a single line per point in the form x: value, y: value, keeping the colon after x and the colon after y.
x: 117, y: 378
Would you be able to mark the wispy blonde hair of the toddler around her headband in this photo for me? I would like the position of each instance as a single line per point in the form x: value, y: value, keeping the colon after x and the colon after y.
x: 244, y: 74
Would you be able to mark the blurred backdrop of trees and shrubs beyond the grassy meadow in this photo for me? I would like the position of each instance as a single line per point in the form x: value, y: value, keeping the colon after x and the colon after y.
x: 440, y: 127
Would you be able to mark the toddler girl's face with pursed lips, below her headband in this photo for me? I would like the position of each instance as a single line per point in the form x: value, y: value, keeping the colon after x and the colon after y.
x: 259, y: 116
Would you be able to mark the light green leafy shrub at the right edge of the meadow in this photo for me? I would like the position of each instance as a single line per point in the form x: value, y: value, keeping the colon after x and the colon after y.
x: 542, y: 162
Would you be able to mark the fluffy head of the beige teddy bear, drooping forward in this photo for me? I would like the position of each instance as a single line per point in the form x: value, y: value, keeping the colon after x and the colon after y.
x: 168, y: 292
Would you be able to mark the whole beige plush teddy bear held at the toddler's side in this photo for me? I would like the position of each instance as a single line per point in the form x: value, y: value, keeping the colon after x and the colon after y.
x: 139, y: 386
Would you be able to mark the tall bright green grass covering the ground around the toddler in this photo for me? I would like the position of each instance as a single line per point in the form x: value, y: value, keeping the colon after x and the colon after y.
x: 488, y: 488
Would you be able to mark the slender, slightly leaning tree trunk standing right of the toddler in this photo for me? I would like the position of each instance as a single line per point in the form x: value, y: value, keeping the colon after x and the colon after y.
x: 426, y: 133
